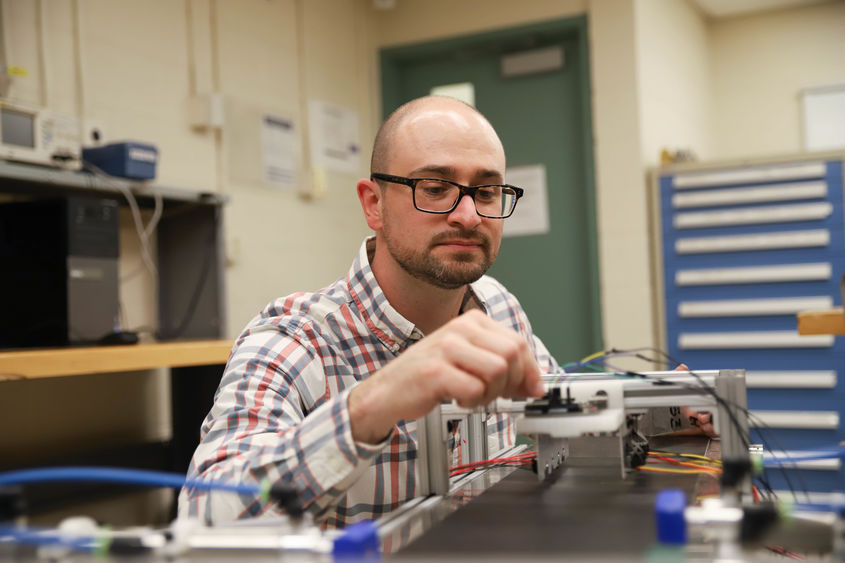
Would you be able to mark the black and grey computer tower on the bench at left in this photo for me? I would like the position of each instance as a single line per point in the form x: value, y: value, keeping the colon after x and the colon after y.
x: 58, y: 271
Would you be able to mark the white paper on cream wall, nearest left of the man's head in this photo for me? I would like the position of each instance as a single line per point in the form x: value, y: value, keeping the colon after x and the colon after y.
x: 335, y: 144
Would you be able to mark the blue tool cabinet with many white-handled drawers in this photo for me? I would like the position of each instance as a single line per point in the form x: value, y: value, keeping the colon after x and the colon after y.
x: 742, y: 249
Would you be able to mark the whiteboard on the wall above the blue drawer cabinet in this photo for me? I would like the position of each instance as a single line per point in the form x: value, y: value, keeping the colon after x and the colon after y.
x: 823, y: 111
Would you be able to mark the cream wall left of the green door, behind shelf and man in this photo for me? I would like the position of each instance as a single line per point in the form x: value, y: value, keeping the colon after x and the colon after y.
x: 138, y: 65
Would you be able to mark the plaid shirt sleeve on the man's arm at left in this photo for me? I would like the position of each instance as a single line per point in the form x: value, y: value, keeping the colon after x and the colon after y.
x: 275, y: 419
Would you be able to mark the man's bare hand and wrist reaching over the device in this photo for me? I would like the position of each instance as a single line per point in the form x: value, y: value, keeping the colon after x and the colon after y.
x: 472, y: 359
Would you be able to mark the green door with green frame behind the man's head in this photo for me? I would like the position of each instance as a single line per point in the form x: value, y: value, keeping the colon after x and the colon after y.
x: 543, y: 118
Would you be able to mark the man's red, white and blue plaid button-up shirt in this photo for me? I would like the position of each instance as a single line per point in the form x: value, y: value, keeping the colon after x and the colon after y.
x: 280, y: 413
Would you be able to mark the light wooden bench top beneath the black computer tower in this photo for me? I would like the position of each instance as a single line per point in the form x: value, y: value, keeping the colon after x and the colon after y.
x: 57, y: 362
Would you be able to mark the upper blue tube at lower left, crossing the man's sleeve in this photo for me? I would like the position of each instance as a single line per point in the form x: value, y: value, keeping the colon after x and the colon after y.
x: 117, y: 475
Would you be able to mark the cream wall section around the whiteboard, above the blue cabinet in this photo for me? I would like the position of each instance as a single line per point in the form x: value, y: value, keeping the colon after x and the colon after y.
x: 760, y: 65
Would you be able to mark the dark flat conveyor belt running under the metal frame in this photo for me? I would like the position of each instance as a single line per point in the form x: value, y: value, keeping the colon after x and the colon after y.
x: 584, y: 509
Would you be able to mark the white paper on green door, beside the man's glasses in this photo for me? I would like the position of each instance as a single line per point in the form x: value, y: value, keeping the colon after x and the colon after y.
x: 531, y: 216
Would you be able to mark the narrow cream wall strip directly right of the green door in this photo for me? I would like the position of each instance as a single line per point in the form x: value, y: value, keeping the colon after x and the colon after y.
x: 620, y: 200
